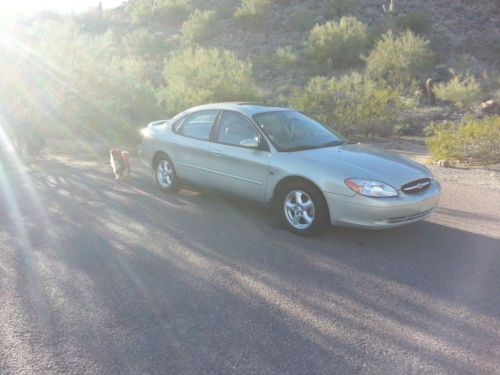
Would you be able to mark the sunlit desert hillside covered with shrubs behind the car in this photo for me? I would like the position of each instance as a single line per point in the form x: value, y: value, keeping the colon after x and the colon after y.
x: 360, y: 66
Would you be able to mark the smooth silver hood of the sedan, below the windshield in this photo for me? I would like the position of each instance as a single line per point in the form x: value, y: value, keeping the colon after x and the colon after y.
x: 362, y: 161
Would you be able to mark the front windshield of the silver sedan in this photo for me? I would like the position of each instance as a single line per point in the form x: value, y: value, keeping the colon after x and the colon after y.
x: 294, y: 131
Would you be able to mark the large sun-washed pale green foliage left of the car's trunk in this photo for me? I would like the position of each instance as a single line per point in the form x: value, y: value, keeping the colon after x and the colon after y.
x: 74, y: 85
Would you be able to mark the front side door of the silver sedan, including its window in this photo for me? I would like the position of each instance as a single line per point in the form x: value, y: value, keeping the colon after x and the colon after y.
x: 234, y: 168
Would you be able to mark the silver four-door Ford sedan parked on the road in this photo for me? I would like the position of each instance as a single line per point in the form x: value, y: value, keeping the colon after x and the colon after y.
x: 280, y: 157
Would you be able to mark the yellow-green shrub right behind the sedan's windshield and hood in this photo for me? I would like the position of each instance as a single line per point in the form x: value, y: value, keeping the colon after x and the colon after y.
x: 351, y: 104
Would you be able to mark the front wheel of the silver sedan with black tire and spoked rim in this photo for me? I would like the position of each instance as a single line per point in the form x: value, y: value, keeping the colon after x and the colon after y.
x: 302, y: 208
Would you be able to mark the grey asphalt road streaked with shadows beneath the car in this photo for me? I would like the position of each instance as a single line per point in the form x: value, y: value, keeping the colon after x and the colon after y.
x: 98, y: 277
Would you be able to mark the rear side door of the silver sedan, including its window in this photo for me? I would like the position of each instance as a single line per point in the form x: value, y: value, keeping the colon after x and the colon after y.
x: 191, y: 146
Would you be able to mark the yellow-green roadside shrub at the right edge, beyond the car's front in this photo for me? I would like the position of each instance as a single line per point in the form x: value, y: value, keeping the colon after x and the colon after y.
x: 472, y: 140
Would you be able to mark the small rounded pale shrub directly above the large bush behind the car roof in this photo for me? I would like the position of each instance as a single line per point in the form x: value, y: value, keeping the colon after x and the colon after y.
x: 201, y: 26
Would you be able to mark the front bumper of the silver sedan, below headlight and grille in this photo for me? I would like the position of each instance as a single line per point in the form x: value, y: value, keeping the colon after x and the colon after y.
x: 380, y: 213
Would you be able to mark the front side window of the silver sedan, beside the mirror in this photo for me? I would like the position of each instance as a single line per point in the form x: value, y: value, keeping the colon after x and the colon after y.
x: 234, y: 128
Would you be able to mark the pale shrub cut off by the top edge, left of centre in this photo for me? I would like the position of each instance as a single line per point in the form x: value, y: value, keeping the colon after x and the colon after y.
x: 163, y: 11
